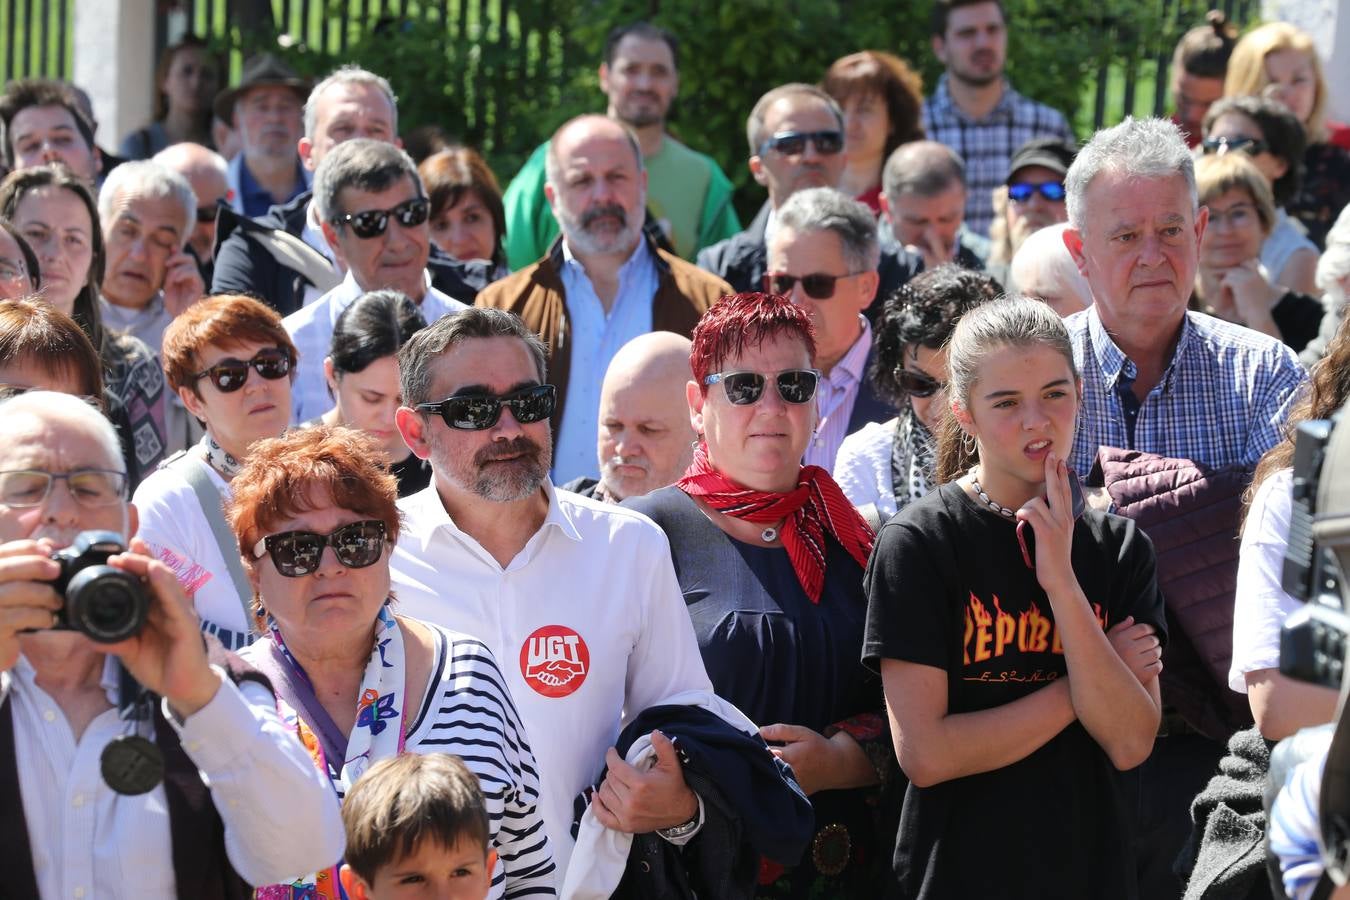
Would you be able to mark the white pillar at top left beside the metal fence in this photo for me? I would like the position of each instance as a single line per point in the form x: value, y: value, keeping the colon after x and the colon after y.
x: 114, y: 61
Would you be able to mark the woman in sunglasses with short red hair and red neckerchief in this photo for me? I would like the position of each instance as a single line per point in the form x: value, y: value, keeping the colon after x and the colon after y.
x: 770, y: 558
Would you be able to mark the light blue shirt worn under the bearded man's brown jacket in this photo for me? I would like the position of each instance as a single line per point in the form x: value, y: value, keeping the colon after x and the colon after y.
x: 597, y: 335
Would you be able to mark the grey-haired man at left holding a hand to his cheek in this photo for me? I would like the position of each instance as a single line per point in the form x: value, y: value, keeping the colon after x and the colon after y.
x: 148, y: 214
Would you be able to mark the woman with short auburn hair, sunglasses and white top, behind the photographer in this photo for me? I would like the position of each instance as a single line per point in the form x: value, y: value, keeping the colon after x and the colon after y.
x: 232, y: 364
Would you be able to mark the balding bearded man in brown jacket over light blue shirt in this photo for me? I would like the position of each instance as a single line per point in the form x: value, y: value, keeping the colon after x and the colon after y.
x: 604, y: 284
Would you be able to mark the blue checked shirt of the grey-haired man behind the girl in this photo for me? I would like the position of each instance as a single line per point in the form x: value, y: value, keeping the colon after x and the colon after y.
x: 1221, y: 401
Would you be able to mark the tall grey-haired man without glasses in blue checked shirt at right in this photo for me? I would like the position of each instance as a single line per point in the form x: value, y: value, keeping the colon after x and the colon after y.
x: 1186, y: 388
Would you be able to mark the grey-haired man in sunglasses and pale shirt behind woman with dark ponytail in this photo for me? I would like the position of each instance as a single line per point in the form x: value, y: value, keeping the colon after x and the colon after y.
x: 373, y: 210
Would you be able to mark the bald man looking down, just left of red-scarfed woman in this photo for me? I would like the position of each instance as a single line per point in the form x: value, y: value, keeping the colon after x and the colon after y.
x: 646, y: 439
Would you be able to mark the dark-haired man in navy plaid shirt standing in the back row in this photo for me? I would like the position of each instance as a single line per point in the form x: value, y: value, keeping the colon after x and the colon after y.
x: 975, y: 111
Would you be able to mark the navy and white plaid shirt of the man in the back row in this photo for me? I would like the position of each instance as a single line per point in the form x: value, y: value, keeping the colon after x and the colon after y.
x: 988, y: 145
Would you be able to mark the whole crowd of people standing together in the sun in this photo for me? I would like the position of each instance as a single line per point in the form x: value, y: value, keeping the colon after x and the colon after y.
x: 920, y: 539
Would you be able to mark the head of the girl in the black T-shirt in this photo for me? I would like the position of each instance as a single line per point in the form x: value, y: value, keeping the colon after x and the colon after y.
x: 1012, y: 385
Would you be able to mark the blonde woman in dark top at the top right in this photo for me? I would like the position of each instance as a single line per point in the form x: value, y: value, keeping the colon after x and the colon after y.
x: 1280, y: 61
